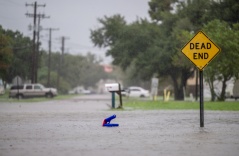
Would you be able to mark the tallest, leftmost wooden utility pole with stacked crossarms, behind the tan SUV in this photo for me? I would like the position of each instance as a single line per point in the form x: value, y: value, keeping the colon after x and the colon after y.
x: 34, y: 47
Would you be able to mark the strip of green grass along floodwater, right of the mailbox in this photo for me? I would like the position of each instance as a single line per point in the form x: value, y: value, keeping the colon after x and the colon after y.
x: 181, y: 105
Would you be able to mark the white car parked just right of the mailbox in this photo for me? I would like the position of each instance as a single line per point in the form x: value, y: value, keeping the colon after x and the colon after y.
x: 135, y: 91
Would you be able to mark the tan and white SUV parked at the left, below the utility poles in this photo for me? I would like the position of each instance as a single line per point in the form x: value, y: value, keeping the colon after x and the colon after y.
x: 31, y: 90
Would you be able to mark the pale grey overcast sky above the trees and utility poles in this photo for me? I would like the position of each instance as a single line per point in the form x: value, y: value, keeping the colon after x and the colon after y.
x: 74, y: 18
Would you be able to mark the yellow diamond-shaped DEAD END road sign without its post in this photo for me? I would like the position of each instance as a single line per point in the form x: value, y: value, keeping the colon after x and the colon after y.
x: 200, y: 50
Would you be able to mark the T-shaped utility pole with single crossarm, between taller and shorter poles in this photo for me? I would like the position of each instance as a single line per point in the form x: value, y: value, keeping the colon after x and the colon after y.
x: 49, y: 56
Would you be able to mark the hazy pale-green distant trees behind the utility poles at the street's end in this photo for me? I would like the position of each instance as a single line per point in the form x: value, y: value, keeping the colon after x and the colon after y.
x: 77, y: 70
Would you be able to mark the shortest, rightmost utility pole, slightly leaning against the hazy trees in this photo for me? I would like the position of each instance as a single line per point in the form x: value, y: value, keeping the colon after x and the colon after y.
x: 63, y: 38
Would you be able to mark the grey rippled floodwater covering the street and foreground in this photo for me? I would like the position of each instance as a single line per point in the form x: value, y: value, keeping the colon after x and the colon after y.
x: 74, y: 128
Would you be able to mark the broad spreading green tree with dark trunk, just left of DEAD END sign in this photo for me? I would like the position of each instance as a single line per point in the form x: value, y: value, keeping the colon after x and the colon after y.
x: 150, y: 47
